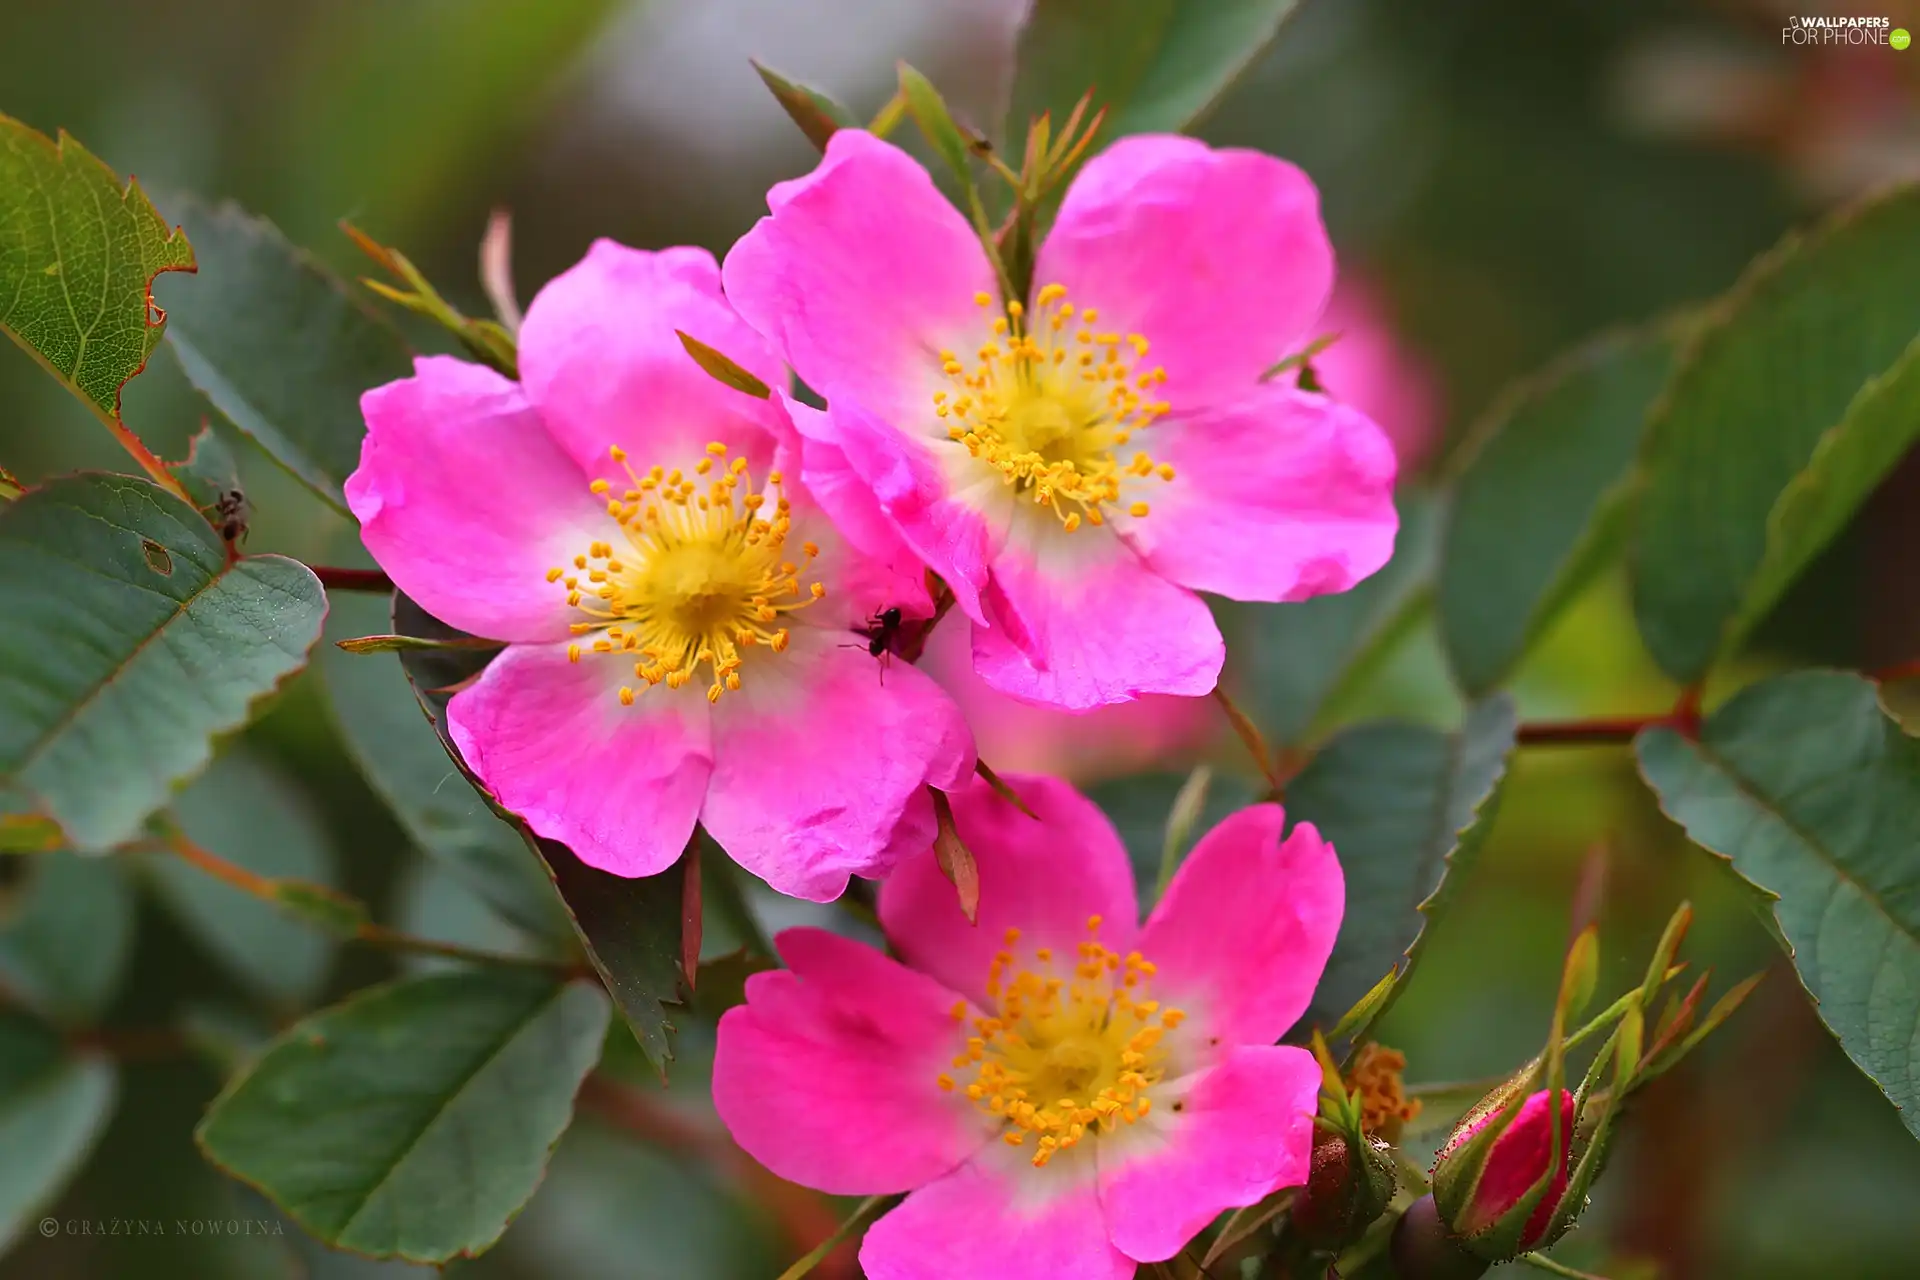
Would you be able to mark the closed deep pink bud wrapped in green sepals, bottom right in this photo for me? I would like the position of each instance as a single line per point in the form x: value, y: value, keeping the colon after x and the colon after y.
x: 1493, y: 1177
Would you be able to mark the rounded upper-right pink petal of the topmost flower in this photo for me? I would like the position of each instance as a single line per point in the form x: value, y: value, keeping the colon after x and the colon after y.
x: 1218, y: 258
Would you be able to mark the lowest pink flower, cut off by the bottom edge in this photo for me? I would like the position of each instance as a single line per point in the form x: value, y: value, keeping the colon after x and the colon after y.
x: 1061, y: 1091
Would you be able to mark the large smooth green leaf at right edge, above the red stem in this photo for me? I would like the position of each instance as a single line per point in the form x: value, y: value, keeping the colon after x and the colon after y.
x: 1773, y: 369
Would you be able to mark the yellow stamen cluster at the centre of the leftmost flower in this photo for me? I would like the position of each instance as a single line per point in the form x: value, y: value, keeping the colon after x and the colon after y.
x: 704, y: 575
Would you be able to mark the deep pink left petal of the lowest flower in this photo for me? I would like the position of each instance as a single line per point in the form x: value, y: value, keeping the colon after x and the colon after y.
x: 828, y: 1074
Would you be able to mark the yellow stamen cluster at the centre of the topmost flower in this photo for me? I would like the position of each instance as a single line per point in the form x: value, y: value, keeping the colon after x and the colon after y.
x: 1053, y: 402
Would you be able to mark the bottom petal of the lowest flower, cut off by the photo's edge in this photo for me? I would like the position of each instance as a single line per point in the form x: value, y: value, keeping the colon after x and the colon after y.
x: 996, y: 1218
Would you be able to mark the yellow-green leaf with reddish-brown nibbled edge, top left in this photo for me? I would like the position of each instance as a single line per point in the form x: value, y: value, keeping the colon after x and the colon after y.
x: 78, y: 258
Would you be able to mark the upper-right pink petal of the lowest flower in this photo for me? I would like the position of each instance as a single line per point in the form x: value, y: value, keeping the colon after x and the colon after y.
x: 1247, y: 926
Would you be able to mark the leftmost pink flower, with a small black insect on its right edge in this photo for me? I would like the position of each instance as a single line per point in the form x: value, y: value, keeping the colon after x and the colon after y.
x: 677, y: 613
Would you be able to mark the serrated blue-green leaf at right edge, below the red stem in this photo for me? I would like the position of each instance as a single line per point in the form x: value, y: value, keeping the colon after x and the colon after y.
x: 1813, y: 794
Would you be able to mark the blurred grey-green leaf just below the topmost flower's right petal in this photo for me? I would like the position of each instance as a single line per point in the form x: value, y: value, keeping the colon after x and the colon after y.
x: 1293, y: 659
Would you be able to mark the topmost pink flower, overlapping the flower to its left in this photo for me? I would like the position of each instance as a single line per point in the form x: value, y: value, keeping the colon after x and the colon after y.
x: 1076, y: 465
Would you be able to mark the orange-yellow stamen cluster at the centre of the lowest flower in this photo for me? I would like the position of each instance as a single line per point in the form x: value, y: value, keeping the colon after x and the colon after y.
x: 1063, y: 1056
